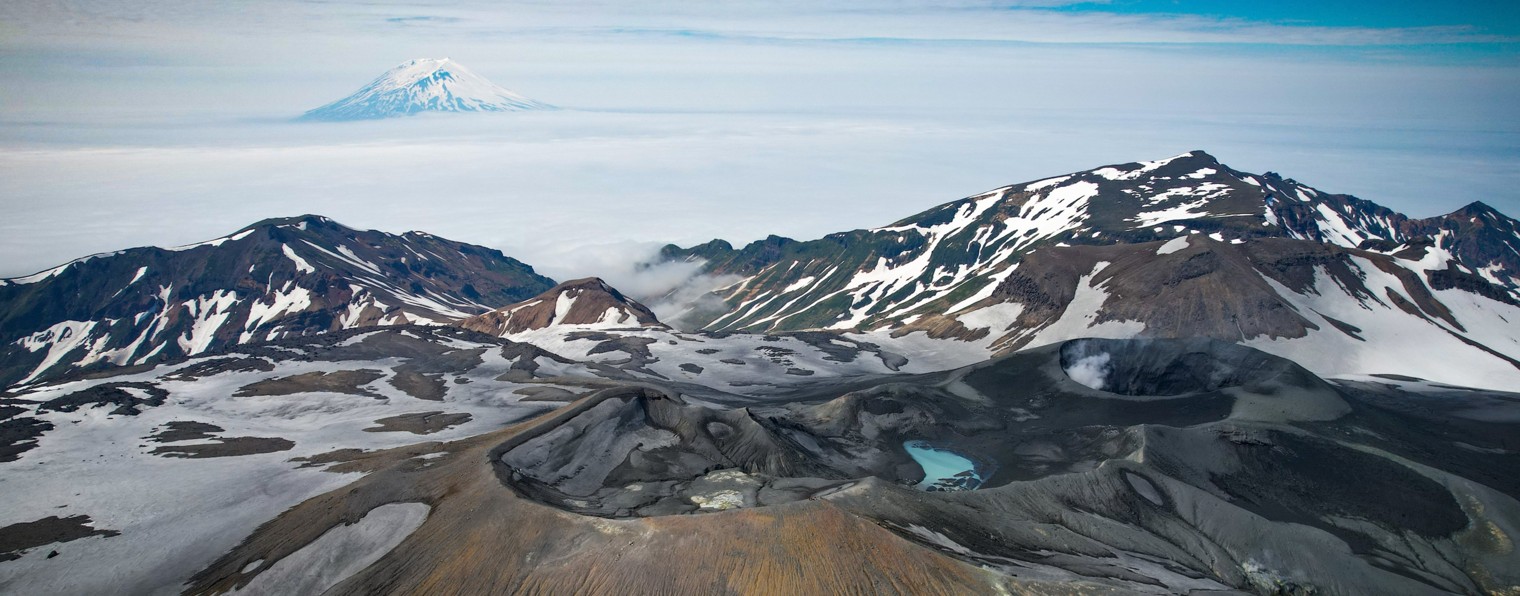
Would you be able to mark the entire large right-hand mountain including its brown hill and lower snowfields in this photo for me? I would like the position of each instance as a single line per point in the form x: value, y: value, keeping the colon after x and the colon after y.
x: 1180, y: 247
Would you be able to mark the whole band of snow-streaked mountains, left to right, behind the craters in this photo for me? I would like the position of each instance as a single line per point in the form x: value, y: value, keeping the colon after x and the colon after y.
x: 1303, y: 274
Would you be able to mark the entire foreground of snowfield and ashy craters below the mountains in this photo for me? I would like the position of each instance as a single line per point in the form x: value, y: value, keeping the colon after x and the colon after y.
x: 407, y: 460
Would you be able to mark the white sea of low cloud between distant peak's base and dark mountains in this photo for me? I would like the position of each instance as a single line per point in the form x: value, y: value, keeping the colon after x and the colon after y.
x: 531, y: 183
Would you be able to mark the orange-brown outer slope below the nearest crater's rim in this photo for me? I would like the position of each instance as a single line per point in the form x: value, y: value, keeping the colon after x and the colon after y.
x: 483, y: 539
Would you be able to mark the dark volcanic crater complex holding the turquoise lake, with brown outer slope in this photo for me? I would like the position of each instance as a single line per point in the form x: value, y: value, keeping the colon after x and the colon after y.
x: 1081, y: 468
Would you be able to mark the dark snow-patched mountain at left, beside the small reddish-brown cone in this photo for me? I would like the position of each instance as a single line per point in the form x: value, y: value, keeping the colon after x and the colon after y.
x: 276, y: 279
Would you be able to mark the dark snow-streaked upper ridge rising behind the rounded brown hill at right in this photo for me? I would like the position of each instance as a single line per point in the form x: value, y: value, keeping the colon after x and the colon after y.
x: 1077, y: 209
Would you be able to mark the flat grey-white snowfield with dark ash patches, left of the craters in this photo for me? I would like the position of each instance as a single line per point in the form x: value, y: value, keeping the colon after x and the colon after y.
x: 97, y: 464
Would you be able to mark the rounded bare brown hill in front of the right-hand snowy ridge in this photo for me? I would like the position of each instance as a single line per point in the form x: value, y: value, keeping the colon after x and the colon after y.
x: 1209, y: 290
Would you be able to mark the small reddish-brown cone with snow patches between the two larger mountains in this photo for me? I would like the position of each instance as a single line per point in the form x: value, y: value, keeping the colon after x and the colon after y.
x: 586, y: 302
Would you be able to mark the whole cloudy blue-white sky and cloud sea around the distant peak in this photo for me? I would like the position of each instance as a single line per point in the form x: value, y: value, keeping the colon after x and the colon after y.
x: 721, y: 119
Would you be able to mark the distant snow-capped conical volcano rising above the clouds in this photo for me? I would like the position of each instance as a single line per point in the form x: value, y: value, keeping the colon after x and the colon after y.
x: 425, y: 86
